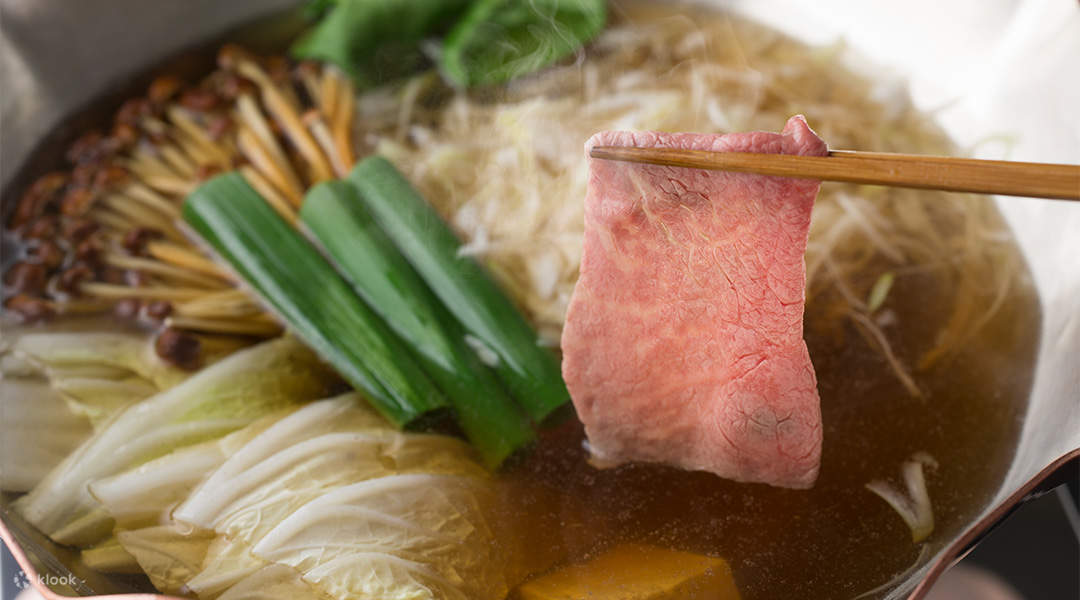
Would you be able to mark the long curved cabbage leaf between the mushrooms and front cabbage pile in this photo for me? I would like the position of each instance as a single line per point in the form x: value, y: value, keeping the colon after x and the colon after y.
x: 223, y: 398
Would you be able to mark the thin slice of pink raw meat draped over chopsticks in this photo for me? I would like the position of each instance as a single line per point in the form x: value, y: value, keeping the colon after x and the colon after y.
x: 684, y: 338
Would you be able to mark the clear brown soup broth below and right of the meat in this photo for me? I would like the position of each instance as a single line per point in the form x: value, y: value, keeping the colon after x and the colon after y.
x: 838, y: 539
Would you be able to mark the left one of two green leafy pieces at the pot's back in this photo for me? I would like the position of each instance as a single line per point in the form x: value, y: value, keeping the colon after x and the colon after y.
x: 376, y: 40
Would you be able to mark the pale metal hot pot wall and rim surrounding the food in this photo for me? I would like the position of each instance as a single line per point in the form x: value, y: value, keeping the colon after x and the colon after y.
x: 60, y: 57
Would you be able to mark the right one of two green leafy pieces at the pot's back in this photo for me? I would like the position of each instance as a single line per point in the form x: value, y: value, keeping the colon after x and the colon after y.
x: 499, y: 40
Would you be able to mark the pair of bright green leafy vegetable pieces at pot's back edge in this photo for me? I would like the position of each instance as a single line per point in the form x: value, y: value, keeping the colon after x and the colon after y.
x: 492, y: 42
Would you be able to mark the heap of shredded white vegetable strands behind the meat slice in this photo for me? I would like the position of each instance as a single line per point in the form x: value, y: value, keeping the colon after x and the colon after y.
x: 508, y: 170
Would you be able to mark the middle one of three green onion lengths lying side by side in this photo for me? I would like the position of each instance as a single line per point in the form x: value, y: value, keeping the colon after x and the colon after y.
x: 385, y: 280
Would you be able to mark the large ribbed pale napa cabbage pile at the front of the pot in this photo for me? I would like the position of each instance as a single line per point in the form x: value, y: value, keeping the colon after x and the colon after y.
x: 323, y: 501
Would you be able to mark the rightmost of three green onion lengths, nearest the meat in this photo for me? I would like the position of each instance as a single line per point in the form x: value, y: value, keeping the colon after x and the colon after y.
x: 495, y: 329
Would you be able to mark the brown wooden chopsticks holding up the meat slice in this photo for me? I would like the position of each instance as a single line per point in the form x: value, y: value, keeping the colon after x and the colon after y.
x: 1060, y: 182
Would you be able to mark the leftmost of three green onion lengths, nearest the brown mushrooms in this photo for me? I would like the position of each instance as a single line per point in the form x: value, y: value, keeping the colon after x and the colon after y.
x: 305, y: 291
